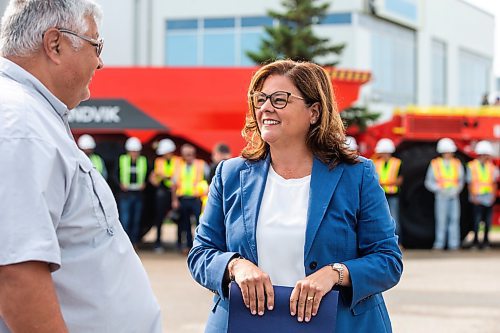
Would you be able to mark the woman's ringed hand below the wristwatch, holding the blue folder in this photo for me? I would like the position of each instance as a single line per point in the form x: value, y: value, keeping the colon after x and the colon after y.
x: 307, y: 294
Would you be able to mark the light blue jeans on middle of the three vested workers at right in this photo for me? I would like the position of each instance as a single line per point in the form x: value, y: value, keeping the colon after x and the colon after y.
x: 447, y: 214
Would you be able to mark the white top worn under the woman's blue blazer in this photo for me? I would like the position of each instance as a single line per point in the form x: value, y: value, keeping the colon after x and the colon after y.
x: 281, y: 228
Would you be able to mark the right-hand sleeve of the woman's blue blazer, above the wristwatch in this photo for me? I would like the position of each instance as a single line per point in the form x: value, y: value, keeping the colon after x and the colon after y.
x: 379, y: 265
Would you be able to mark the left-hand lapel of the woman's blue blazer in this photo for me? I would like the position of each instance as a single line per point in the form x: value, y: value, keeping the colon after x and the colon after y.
x: 253, y: 181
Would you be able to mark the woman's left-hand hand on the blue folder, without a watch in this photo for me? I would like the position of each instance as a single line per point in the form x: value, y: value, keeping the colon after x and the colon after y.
x: 255, y: 285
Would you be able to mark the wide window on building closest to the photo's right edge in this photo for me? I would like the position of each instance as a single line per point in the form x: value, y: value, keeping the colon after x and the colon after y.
x: 475, y: 71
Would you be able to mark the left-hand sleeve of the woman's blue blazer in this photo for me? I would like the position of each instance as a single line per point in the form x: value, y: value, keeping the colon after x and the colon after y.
x: 208, y: 258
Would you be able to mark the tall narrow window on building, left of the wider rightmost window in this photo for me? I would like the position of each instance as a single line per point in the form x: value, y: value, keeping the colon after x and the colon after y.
x: 438, y: 73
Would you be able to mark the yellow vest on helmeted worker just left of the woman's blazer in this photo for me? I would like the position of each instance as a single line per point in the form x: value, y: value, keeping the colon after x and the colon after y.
x: 191, y: 179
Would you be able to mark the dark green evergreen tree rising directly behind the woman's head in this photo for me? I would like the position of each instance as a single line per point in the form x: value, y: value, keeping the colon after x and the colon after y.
x: 293, y: 37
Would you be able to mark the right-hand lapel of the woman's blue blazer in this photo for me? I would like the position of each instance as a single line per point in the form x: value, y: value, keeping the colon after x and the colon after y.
x: 323, y: 184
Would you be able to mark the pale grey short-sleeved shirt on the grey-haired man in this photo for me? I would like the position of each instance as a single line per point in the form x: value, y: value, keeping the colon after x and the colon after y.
x: 55, y: 207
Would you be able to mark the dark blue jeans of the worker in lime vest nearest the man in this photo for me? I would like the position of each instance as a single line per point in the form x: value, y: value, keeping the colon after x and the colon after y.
x: 130, y: 213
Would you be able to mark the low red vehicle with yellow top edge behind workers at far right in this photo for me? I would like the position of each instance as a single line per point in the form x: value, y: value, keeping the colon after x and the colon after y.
x: 415, y: 131
